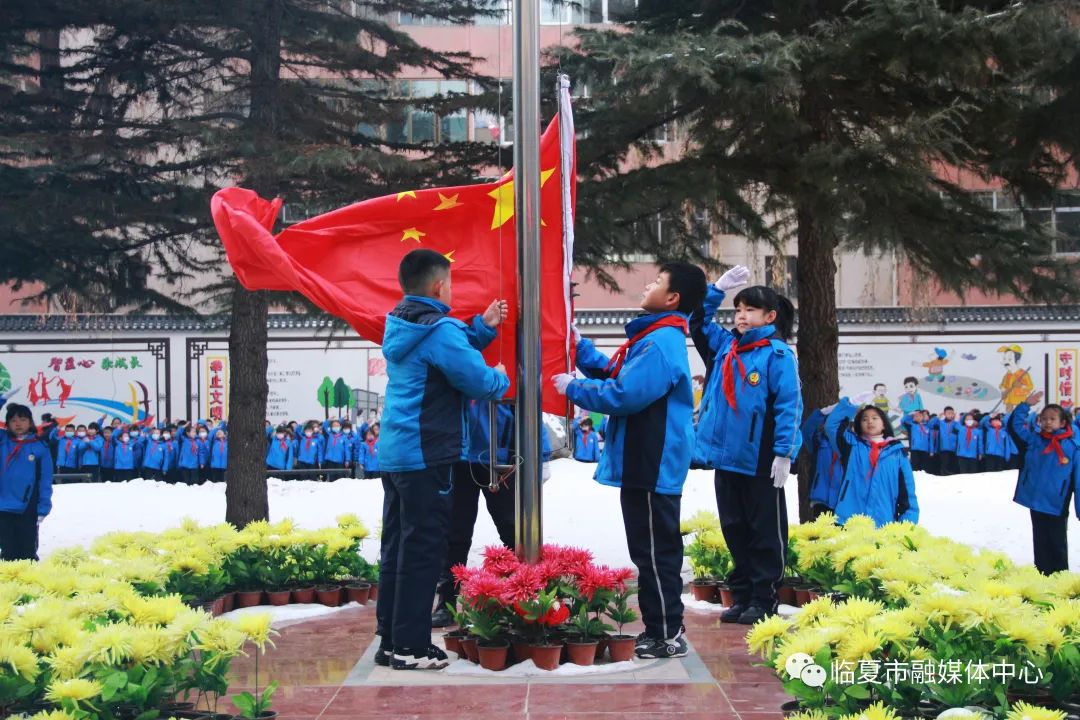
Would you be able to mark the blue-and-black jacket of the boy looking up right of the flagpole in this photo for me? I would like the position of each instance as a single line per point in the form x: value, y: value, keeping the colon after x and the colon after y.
x: 650, y: 440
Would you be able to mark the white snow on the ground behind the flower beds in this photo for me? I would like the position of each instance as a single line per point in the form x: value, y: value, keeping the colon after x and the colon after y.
x: 977, y: 510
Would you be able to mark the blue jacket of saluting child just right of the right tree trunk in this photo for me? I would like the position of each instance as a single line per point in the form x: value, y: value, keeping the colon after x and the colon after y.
x: 885, y: 493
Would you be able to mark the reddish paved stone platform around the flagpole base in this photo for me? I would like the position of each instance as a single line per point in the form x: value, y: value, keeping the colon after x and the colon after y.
x: 326, y: 671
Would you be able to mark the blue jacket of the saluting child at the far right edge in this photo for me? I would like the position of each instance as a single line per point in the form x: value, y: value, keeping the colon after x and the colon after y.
x: 1045, y: 484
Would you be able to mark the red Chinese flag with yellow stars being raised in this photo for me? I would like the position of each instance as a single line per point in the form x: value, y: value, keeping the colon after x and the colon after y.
x: 346, y: 262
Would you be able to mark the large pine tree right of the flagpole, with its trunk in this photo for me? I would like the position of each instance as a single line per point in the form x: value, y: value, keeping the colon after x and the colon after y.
x: 843, y: 125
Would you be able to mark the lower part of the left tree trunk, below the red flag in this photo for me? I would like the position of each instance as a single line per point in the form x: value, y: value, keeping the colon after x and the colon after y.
x: 246, y: 495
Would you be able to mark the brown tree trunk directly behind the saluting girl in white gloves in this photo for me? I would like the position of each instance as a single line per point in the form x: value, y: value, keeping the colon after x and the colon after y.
x: 818, y: 335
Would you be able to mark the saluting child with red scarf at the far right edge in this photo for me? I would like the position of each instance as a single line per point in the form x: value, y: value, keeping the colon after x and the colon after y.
x: 1049, y: 478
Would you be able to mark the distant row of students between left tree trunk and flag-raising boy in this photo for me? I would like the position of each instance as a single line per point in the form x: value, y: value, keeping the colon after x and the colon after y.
x: 332, y: 445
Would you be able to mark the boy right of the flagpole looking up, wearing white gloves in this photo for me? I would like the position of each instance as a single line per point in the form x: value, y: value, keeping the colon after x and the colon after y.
x: 647, y: 392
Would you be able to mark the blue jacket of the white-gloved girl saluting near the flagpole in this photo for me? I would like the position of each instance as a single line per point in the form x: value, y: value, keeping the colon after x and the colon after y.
x: 765, y: 425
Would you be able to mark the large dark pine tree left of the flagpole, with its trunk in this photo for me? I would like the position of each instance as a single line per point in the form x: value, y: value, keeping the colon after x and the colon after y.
x: 138, y: 113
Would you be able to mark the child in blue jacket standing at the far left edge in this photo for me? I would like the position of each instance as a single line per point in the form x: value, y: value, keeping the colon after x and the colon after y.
x: 26, y: 485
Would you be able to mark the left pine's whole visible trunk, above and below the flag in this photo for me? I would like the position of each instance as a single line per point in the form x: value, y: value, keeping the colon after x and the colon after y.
x: 246, y: 496
